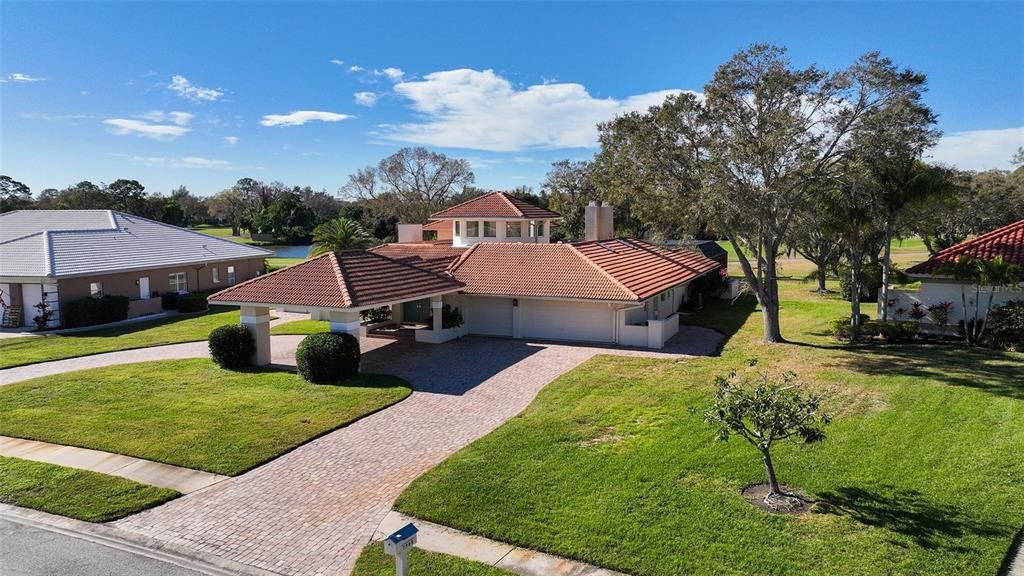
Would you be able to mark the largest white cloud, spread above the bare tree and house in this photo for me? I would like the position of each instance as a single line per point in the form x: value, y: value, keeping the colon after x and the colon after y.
x: 483, y: 111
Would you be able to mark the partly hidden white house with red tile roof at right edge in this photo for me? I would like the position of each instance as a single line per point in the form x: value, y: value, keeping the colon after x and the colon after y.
x: 937, y: 287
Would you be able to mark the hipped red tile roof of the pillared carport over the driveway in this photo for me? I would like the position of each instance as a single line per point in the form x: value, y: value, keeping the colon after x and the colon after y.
x: 340, y: 280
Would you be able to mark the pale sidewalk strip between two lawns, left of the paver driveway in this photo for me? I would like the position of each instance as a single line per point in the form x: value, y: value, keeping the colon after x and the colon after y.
x: 147, y: 472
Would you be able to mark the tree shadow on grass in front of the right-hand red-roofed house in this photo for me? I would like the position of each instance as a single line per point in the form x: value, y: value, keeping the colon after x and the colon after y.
x: 997, y: 373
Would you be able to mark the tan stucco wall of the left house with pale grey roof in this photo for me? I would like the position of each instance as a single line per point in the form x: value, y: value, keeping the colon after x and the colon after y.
x: 124, y: 284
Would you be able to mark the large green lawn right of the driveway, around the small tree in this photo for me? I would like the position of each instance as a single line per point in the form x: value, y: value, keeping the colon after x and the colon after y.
x: 613, y: 465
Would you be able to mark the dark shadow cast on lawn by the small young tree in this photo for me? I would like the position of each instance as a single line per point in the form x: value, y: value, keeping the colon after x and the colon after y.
x: 931, y: 525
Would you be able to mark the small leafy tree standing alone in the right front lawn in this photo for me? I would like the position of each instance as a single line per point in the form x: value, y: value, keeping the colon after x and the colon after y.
x: 763, y: 412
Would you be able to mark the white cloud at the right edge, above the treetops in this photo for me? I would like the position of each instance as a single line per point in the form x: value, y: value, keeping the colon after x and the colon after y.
x: 978, y: 150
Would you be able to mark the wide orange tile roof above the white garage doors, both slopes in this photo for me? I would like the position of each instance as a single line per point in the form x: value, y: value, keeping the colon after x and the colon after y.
x: 610, y: 270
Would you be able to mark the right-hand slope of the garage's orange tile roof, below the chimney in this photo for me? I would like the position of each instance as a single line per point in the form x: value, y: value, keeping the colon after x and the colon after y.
x: 646, y: 269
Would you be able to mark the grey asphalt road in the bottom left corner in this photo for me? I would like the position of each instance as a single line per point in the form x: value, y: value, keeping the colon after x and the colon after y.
x: 27, y: 551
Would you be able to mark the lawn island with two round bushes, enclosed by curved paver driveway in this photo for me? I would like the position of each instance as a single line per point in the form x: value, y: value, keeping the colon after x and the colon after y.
x: 189, y: 413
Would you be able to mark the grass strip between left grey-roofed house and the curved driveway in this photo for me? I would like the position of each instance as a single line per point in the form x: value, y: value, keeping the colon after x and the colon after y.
x: 30, y: 350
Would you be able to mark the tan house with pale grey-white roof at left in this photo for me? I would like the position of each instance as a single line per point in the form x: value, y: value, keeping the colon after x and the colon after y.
x: 64, y: 256
